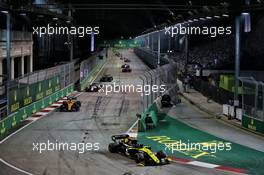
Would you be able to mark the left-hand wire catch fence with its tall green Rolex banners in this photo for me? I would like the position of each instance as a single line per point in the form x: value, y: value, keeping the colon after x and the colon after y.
x: 35, y: 86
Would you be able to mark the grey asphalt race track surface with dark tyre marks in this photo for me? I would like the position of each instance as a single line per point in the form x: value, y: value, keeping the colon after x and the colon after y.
x: 100, y: 117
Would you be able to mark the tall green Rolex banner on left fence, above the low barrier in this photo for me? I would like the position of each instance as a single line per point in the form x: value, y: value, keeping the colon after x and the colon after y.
x: 27, y: 94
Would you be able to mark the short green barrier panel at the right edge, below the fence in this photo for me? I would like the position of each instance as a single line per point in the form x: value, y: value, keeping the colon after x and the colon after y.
x: 253, y: 124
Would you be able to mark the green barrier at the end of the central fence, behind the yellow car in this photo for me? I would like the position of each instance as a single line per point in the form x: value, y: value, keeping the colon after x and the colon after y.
x: 153, y: 113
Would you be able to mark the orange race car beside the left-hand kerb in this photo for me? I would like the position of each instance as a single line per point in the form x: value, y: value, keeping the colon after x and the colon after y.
x: 70, y: 105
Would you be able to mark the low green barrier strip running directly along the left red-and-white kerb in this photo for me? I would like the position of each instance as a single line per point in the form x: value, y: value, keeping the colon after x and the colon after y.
x: 14, y: 119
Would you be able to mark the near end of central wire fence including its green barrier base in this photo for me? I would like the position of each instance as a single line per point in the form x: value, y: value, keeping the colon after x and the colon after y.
x: 165, y: 76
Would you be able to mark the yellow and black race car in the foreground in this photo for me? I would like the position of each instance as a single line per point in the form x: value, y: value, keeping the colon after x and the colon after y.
x: 140, y: 153
